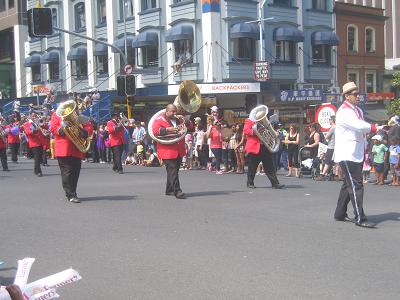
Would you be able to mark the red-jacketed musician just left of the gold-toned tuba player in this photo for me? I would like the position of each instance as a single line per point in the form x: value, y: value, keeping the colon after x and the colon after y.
x: 34, y: 142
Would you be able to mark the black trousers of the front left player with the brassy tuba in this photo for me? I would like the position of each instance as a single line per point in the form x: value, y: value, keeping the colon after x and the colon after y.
x: 70, y: 168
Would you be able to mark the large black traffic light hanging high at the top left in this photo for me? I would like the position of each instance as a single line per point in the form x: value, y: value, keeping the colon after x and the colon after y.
x: 40, y: 22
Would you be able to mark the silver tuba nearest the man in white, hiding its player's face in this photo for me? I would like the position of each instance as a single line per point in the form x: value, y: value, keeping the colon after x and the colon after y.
x: 268, y: 136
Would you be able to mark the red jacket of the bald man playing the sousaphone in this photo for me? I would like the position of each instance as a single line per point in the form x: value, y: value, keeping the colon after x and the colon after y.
x: 167, y: 151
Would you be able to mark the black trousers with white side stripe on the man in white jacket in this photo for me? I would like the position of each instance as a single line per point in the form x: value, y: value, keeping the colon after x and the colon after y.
x: 352, y: 190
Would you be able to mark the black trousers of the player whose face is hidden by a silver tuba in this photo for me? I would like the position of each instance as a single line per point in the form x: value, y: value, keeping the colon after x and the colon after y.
x: 266, y: 158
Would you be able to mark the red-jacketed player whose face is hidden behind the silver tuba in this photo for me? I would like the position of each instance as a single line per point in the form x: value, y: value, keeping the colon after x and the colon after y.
x: 257, y: 152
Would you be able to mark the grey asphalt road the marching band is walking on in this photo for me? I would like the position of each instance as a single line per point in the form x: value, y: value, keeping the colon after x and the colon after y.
x: 129, y: 241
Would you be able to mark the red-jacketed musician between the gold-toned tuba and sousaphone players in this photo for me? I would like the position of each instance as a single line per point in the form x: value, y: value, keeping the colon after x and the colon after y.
x: 117, y: 141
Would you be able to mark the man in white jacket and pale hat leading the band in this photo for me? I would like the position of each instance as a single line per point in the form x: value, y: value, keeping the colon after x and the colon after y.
x: 350, y: 145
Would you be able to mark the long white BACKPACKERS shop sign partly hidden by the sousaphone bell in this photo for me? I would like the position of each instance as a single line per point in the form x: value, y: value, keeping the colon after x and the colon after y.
x: 221, y: 88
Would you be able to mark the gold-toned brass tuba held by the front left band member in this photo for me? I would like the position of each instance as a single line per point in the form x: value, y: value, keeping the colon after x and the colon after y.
x: 67, y: 111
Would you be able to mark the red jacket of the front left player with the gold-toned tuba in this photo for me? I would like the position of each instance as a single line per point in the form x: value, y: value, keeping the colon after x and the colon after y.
x: 63, y: 147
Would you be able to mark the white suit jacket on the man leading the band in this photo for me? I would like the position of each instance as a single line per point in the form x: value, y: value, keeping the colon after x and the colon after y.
x: 350, y: 133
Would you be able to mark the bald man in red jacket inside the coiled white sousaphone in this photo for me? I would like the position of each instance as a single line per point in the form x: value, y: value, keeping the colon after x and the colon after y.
x: 171, y: 154
